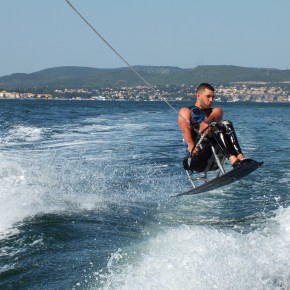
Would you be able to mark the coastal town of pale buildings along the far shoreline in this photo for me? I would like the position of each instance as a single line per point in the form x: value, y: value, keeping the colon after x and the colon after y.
x: 236, y: 92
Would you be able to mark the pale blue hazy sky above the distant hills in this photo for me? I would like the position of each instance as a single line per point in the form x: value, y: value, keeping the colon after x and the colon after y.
x: 39, y: 34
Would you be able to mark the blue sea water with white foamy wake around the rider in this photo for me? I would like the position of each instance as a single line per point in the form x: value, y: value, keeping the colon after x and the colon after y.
x: 85, y: 191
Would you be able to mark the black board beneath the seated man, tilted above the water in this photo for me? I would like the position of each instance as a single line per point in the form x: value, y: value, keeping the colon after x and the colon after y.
x: 231, y: 176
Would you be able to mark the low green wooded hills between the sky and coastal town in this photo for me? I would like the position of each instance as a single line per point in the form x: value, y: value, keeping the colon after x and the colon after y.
x: 87, y: 77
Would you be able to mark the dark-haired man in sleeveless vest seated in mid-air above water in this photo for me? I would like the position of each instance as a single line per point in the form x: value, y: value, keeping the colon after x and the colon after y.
x: 195, y: 119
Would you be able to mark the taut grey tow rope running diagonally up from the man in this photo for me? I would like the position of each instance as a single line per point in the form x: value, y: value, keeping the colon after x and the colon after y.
x: 120, y: 56
